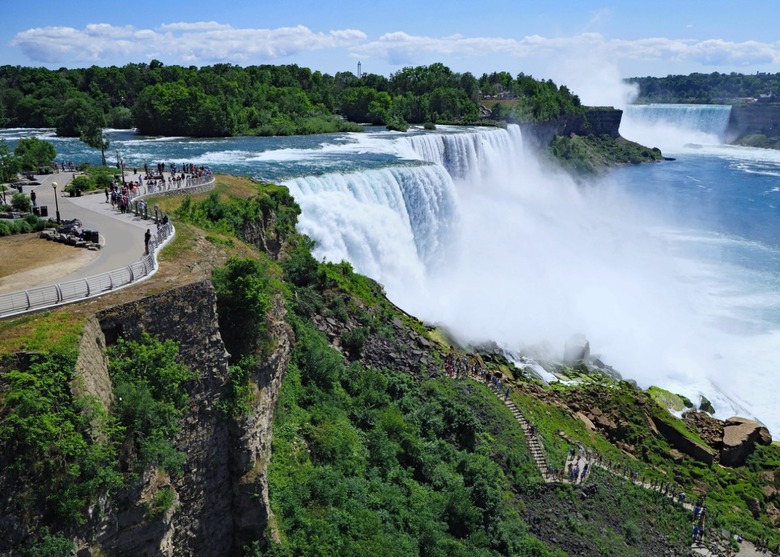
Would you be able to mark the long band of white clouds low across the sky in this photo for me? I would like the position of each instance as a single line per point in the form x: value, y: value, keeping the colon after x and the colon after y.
x: 208, y: 42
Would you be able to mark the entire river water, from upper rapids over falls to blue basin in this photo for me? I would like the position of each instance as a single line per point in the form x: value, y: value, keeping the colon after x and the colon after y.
x: 671, y: 270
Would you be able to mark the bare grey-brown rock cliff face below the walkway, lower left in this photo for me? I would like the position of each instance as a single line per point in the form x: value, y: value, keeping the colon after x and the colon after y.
x: 220, y: 502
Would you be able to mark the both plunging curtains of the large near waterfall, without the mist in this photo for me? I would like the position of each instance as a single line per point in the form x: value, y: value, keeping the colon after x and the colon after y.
x: 398, y: 223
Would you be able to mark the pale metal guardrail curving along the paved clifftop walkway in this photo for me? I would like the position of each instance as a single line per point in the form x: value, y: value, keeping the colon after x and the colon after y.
x: 42, y: 297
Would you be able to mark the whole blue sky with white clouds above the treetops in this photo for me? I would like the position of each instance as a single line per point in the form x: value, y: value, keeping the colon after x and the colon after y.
x: 587, y: 45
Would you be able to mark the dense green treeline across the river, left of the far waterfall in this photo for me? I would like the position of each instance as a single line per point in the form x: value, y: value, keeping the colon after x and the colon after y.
x: 228, y: 100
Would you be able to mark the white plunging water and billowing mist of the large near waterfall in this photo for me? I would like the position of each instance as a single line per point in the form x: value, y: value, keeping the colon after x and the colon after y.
x: 489, y: 243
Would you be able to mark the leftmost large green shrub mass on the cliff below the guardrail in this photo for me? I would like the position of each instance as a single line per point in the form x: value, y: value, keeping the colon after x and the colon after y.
x: 49, y: 432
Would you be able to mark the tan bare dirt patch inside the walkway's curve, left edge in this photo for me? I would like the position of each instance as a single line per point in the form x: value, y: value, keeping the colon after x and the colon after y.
x: 26, y: 261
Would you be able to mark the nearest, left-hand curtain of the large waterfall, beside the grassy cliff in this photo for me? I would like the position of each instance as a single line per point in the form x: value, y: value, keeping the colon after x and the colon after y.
x: 390, y: 223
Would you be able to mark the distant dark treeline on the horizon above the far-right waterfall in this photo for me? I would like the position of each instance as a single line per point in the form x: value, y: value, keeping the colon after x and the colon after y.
x: 713, y: 88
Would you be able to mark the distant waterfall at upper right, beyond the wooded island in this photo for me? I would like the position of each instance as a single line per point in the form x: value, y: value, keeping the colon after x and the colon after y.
x: 672, y: 126
